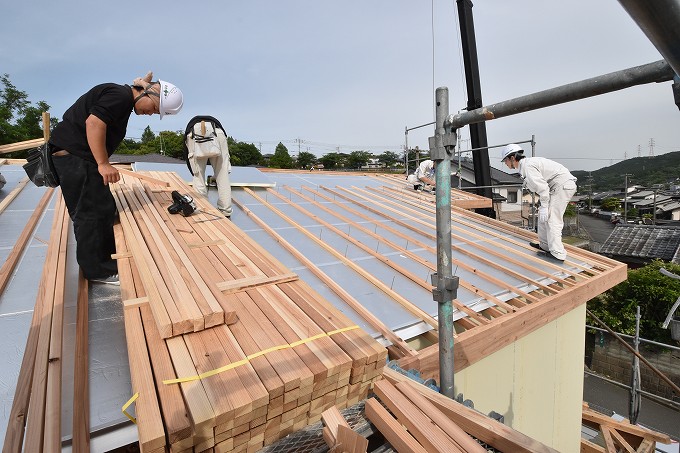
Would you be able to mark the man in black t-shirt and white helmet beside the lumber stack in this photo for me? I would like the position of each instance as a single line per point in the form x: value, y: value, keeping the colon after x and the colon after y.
x: 90, y: 131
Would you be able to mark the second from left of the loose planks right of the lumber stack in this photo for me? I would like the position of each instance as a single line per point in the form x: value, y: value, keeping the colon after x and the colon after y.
x: 420, y: 426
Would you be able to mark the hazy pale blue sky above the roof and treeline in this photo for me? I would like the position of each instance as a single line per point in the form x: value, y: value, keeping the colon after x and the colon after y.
x: 351, y: 75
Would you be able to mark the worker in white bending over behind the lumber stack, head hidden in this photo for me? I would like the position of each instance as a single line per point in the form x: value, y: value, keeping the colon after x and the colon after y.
x: 206, y: 141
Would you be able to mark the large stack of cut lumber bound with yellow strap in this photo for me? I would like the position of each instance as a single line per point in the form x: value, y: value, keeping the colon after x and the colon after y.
x: 278, y: 358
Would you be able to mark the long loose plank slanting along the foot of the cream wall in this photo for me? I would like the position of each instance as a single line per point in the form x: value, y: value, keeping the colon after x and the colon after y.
x: 474, y: 423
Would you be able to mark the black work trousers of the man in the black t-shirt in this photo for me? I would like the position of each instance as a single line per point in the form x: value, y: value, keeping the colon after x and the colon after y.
x: 92, y: 210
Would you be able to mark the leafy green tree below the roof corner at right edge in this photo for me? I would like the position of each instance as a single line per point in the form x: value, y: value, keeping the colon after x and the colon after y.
x: 654, y: 292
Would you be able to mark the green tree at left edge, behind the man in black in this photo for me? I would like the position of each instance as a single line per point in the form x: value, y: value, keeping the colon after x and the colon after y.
x: 19, y: 119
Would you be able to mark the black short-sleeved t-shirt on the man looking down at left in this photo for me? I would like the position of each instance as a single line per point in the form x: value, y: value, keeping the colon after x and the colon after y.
x: 111, y: 103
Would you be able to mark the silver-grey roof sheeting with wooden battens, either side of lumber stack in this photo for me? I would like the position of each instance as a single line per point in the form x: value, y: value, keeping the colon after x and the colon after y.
x: 372, y: 235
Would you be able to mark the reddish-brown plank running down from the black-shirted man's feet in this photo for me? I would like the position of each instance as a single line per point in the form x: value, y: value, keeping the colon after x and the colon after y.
x: 81, y: 391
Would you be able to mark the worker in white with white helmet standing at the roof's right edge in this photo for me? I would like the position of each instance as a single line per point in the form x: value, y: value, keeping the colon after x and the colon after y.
x: 554, y: 185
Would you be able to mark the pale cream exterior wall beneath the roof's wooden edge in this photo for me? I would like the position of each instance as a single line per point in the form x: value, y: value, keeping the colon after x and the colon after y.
x: 536, y: 383
